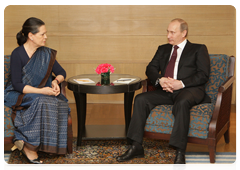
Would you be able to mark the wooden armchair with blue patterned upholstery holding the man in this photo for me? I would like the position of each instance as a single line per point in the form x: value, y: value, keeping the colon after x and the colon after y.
x: 208, y: 122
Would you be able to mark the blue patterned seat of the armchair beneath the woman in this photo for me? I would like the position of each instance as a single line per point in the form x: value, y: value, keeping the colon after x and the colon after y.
x: 8, y: 126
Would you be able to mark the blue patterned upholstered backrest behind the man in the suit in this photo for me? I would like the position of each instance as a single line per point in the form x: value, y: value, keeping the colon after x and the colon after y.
x: 219, y: 72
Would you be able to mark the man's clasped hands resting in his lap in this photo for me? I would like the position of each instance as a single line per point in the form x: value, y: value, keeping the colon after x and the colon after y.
x: 170, y: 84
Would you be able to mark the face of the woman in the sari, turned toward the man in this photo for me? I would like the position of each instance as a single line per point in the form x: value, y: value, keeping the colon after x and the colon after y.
x: 39, y: 39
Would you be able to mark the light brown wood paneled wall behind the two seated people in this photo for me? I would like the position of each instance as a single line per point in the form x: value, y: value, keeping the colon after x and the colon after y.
x: 125, y: 36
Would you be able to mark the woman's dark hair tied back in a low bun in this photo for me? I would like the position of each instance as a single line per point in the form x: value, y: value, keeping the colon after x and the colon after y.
x: 30, y: 25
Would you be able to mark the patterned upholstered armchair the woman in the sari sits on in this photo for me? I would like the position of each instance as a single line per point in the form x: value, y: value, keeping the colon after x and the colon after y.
x: 8, y: 126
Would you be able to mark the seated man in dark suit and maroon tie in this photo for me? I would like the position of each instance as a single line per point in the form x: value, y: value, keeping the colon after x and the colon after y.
x: 180, y: 69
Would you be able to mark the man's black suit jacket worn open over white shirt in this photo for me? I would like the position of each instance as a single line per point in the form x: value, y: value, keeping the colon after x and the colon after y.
x: 193, y: 68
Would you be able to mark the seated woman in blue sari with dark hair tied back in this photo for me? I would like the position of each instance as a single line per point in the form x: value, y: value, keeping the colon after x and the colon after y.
x: 40, y: 112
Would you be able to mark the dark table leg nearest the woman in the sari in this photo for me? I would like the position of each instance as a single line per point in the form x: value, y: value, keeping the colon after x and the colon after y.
x: 80, y: 99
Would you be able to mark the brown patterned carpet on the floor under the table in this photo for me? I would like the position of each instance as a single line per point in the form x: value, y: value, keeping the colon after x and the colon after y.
x: 102, y: 152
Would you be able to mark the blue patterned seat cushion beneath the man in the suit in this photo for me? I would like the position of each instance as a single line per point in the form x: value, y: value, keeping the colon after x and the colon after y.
x: 161, y: 120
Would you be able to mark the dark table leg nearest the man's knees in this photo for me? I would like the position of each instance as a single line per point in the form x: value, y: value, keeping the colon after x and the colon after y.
x: 128, y: 98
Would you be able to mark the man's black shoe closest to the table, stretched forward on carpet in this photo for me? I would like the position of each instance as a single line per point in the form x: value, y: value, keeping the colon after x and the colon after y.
x: 132, y: 152
